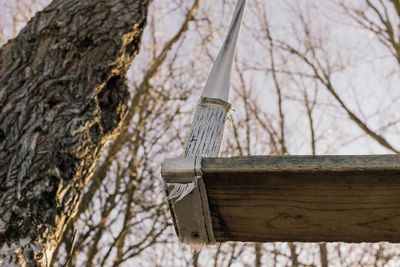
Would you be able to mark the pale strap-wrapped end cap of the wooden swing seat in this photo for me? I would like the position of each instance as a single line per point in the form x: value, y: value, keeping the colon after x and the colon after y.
x: 189, y: 205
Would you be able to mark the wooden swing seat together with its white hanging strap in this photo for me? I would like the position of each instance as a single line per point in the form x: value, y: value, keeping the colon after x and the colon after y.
x: 274, y: 198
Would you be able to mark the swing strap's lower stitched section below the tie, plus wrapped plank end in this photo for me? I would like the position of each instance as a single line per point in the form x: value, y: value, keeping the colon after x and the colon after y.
x: 187, y: 192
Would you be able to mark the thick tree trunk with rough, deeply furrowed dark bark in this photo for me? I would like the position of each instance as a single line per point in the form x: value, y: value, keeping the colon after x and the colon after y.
x: 62, y: 96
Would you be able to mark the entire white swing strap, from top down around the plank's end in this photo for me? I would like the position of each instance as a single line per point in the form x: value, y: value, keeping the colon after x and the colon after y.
x: 185, y: 188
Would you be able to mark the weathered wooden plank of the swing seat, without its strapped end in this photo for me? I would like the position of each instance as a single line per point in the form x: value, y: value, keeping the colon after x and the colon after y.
x: 304, y: 198
